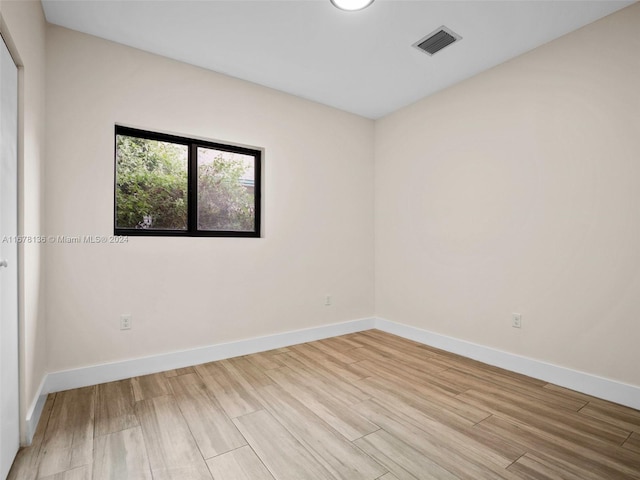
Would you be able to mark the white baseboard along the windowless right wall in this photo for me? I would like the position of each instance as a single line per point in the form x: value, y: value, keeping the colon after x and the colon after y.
x: 600, y: 387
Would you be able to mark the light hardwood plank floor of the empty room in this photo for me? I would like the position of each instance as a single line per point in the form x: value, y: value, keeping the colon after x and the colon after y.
x: 365, y: 406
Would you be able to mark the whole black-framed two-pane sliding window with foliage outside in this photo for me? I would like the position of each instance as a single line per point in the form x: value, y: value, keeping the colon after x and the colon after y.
x: 169, y: 185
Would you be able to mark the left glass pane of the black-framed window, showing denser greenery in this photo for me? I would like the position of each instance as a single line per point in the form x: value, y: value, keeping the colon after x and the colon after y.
x: 151, y: 184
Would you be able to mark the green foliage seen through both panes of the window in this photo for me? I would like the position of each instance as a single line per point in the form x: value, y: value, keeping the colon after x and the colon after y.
x: 152, y: 187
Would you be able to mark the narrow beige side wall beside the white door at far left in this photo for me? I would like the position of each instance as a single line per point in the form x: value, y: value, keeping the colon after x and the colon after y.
x: 23, y: 26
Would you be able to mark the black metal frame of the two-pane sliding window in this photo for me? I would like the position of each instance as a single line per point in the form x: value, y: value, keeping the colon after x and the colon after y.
x: 192, y: 186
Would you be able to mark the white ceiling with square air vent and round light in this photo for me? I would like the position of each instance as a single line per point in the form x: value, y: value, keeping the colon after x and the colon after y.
x: 361, y: 62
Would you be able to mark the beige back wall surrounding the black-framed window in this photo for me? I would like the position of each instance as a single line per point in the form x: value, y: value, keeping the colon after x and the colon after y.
x: 184, y: 293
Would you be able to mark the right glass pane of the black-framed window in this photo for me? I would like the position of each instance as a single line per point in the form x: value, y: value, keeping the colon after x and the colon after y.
x: 226, y: 185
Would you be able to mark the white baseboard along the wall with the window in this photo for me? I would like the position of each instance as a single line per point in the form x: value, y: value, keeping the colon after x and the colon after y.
x: 109, y: 372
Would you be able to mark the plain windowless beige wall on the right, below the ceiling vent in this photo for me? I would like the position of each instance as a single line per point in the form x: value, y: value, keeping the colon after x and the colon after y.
x: 519, y: 191
